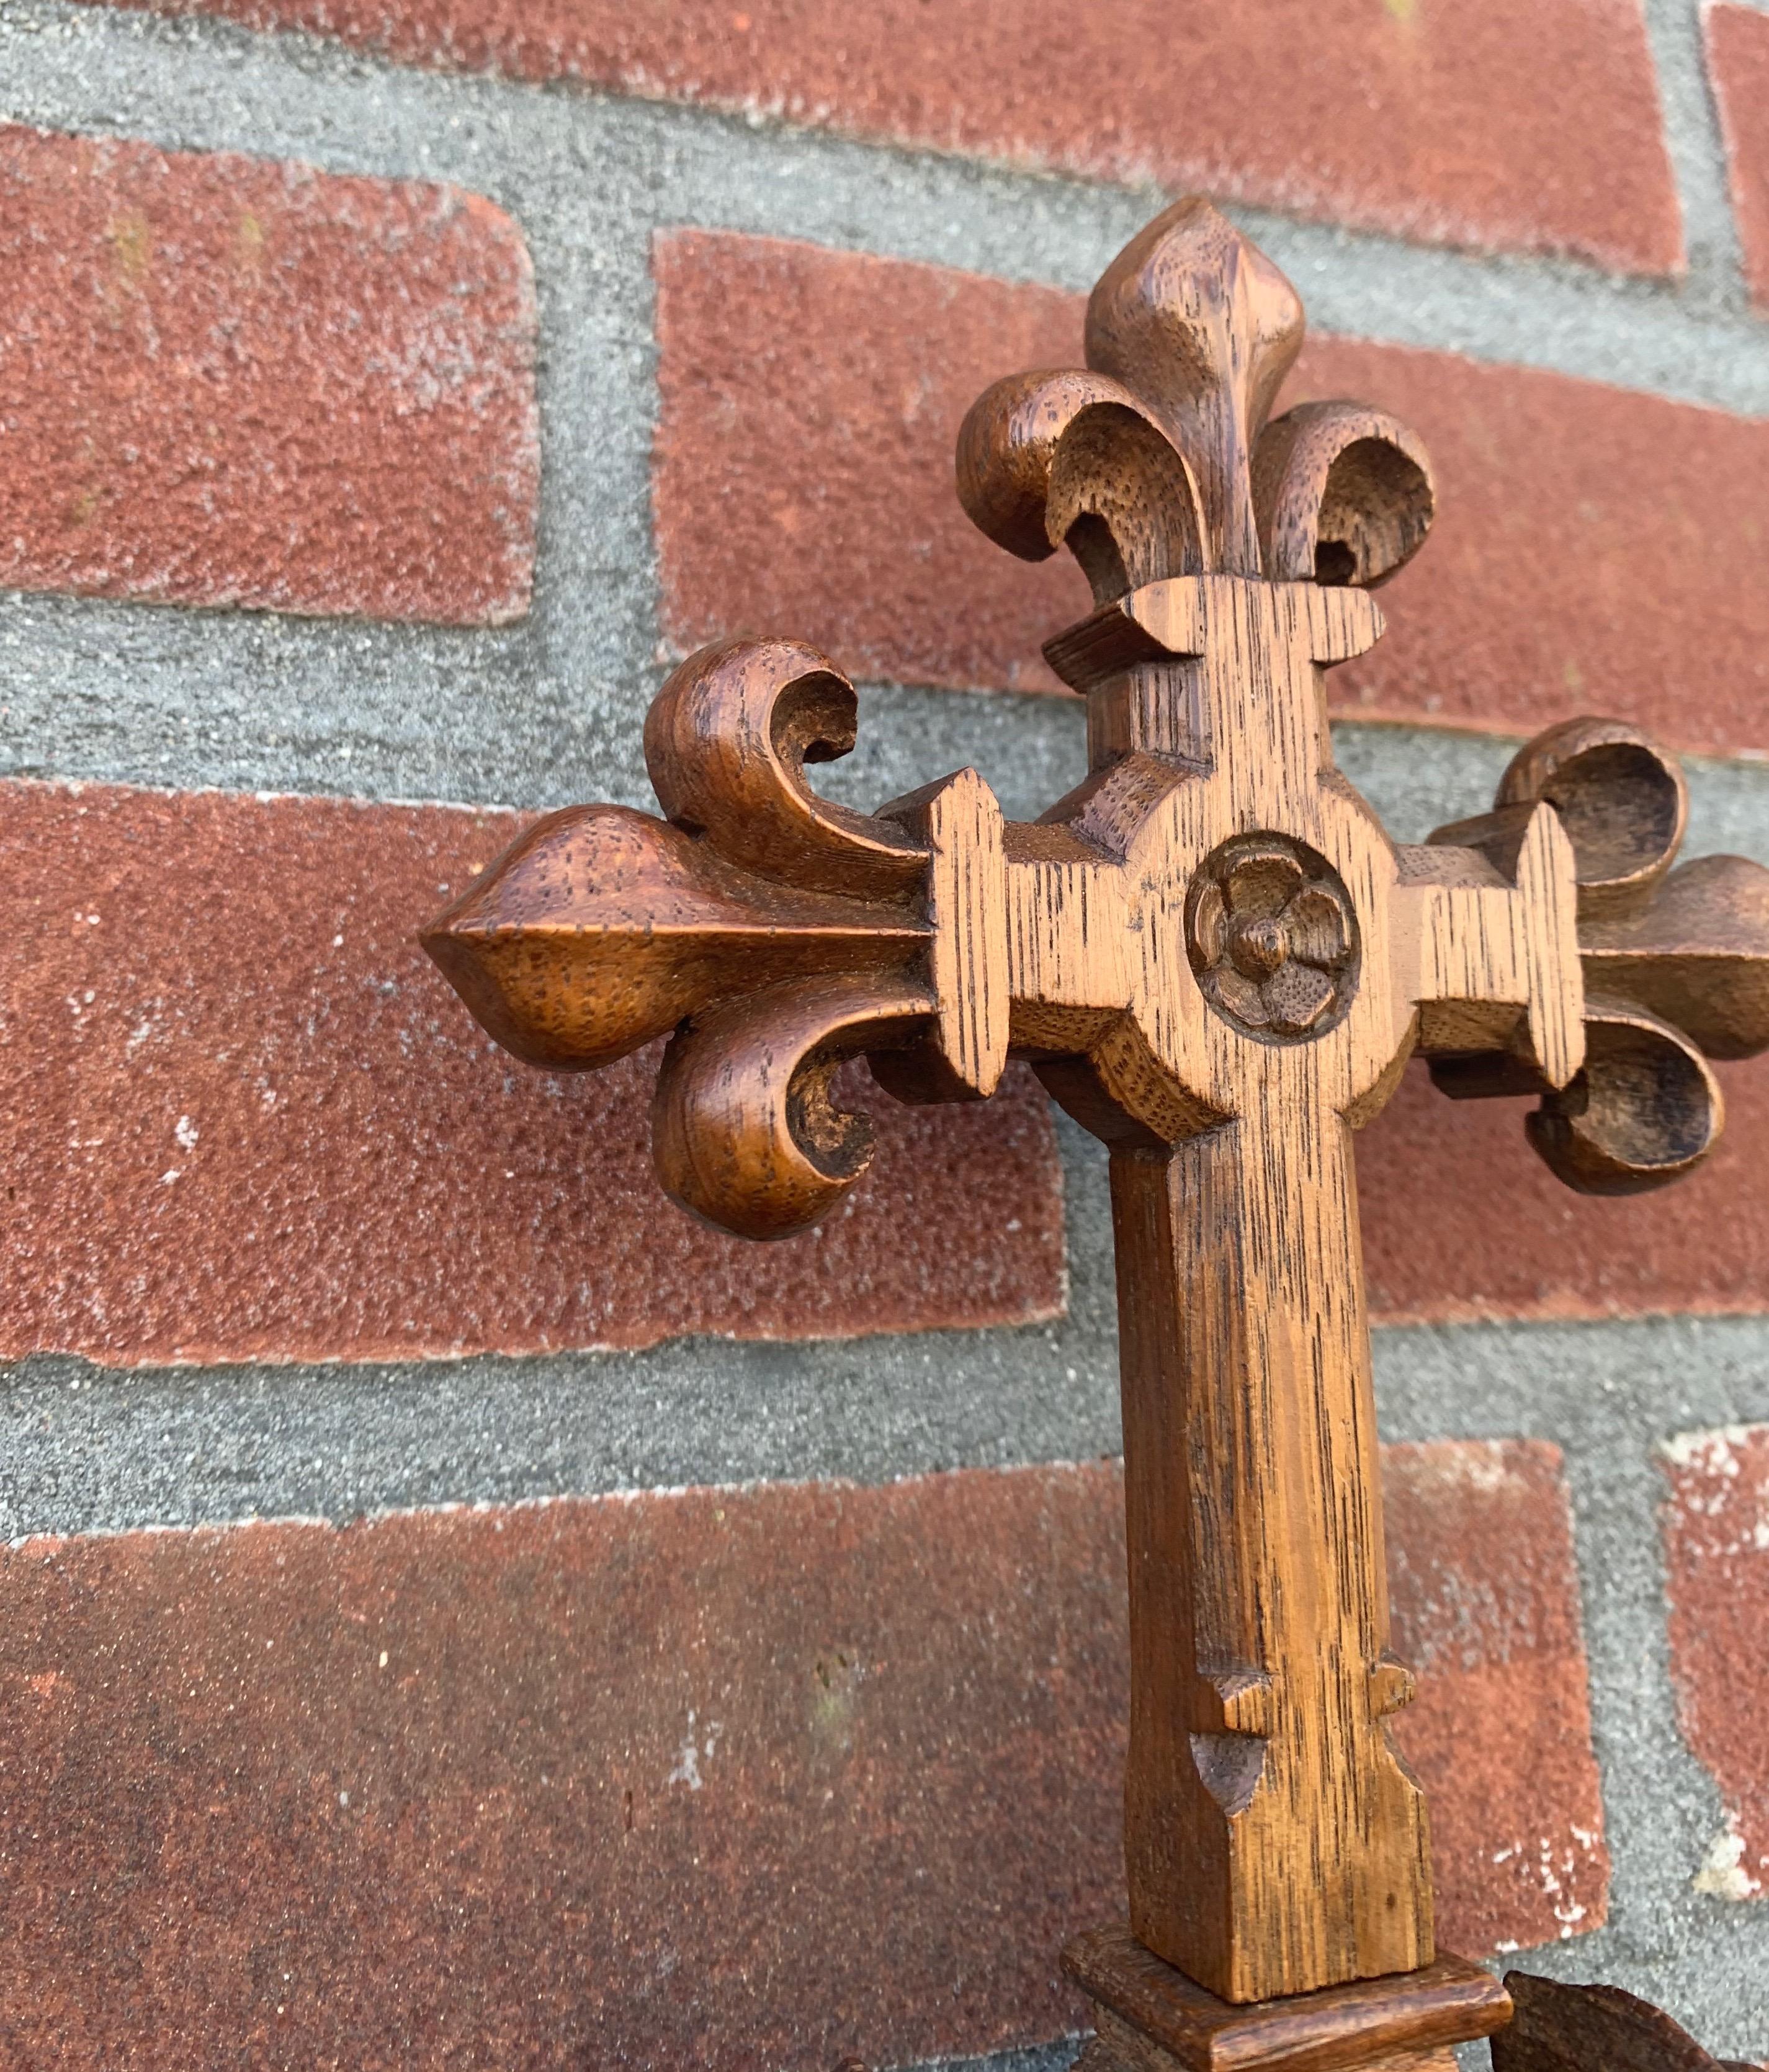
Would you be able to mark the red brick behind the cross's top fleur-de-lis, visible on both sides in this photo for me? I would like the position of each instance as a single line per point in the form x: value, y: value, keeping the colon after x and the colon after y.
x: 1596, y: 550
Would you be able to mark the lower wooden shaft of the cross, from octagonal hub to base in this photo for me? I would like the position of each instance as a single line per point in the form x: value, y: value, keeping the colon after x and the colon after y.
x: 1258, y: 1572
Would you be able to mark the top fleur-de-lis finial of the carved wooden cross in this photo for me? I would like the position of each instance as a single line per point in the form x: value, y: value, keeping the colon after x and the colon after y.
x: 1159, y: 459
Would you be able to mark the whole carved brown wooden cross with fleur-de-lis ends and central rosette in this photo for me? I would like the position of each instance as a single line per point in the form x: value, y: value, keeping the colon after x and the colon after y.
x: 1219, y: 962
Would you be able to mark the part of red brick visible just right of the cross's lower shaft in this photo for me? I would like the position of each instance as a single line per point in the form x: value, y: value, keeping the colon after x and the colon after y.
x: 1486, y: 1611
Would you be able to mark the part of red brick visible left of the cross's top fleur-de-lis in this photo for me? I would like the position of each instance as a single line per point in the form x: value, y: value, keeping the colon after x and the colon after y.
x: 811, y: 405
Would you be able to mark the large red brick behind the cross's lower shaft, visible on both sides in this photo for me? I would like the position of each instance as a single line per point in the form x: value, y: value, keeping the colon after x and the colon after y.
x: 639, y: 1781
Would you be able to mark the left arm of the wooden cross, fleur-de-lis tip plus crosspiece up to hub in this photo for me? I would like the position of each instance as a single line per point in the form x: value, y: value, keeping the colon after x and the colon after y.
x: 774, y: 936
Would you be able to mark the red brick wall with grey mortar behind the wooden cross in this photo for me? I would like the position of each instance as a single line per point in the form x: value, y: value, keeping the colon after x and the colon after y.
x: 457, y: 1609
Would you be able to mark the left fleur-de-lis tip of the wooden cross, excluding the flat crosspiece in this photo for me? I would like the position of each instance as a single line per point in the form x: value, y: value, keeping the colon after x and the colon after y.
x: 765, y: 931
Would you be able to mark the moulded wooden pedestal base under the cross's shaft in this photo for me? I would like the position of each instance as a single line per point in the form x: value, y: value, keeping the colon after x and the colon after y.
x: 1155, y: 2019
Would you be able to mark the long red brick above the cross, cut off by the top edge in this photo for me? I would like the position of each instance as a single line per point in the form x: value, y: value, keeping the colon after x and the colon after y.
x: 1443, y: 121
